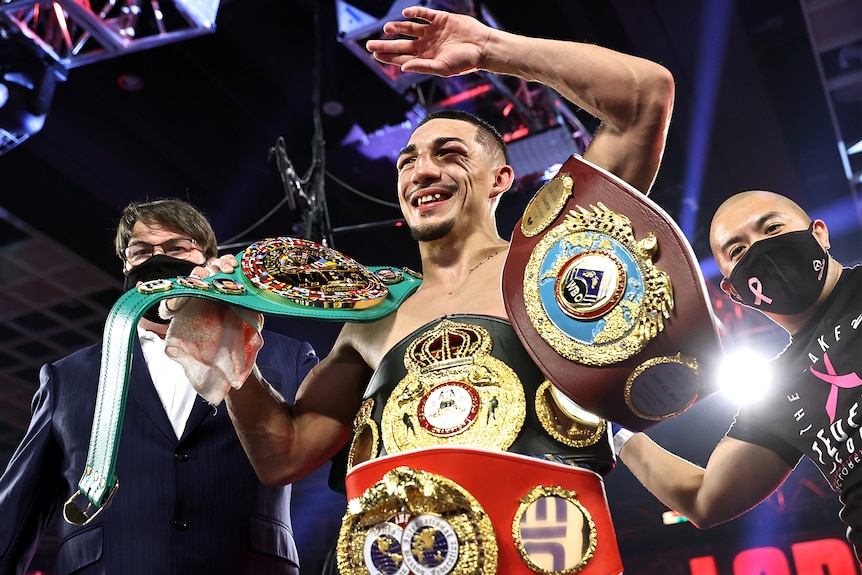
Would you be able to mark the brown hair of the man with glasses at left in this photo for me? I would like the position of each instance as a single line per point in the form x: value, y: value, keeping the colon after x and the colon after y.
x: 169, y: 212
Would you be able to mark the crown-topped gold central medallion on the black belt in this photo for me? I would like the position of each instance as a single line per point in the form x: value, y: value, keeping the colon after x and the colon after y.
x: 454, y: 392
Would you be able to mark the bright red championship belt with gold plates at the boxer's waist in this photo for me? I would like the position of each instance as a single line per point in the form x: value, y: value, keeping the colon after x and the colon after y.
x: 468, y: 511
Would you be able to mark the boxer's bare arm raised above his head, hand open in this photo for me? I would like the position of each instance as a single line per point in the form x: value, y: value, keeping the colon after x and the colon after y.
x: 632, y: 97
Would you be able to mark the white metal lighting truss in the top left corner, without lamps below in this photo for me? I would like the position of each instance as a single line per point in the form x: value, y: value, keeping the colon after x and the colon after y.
x: 79, y: 32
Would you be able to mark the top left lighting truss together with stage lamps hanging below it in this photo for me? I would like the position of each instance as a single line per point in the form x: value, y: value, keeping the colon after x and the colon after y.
x: 41, y: 41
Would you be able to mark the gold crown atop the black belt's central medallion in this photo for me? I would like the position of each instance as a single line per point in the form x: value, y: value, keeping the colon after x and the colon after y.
x: 448, y: 344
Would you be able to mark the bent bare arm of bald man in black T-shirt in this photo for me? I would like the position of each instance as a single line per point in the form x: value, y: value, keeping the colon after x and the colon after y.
x: 738, y: 476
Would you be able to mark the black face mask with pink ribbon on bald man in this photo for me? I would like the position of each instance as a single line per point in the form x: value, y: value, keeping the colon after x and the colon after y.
x: 784, y: 274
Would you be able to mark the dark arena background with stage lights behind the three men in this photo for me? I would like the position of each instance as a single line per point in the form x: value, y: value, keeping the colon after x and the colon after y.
x: 275, y: 122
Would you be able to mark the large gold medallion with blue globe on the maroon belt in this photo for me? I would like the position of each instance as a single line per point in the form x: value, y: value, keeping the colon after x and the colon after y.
x: 591, y: 289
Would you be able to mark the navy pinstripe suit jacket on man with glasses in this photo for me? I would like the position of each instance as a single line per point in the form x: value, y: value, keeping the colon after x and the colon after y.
x: 184, y: 507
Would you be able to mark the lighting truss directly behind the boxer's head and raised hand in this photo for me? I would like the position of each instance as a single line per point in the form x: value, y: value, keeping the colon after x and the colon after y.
x: 537, y: 122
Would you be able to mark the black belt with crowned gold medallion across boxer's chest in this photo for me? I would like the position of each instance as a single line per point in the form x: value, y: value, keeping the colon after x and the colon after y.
x: 466, y: 380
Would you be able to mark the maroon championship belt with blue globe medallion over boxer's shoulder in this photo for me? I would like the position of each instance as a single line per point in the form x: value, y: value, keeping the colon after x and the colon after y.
x: 607, y: 296
